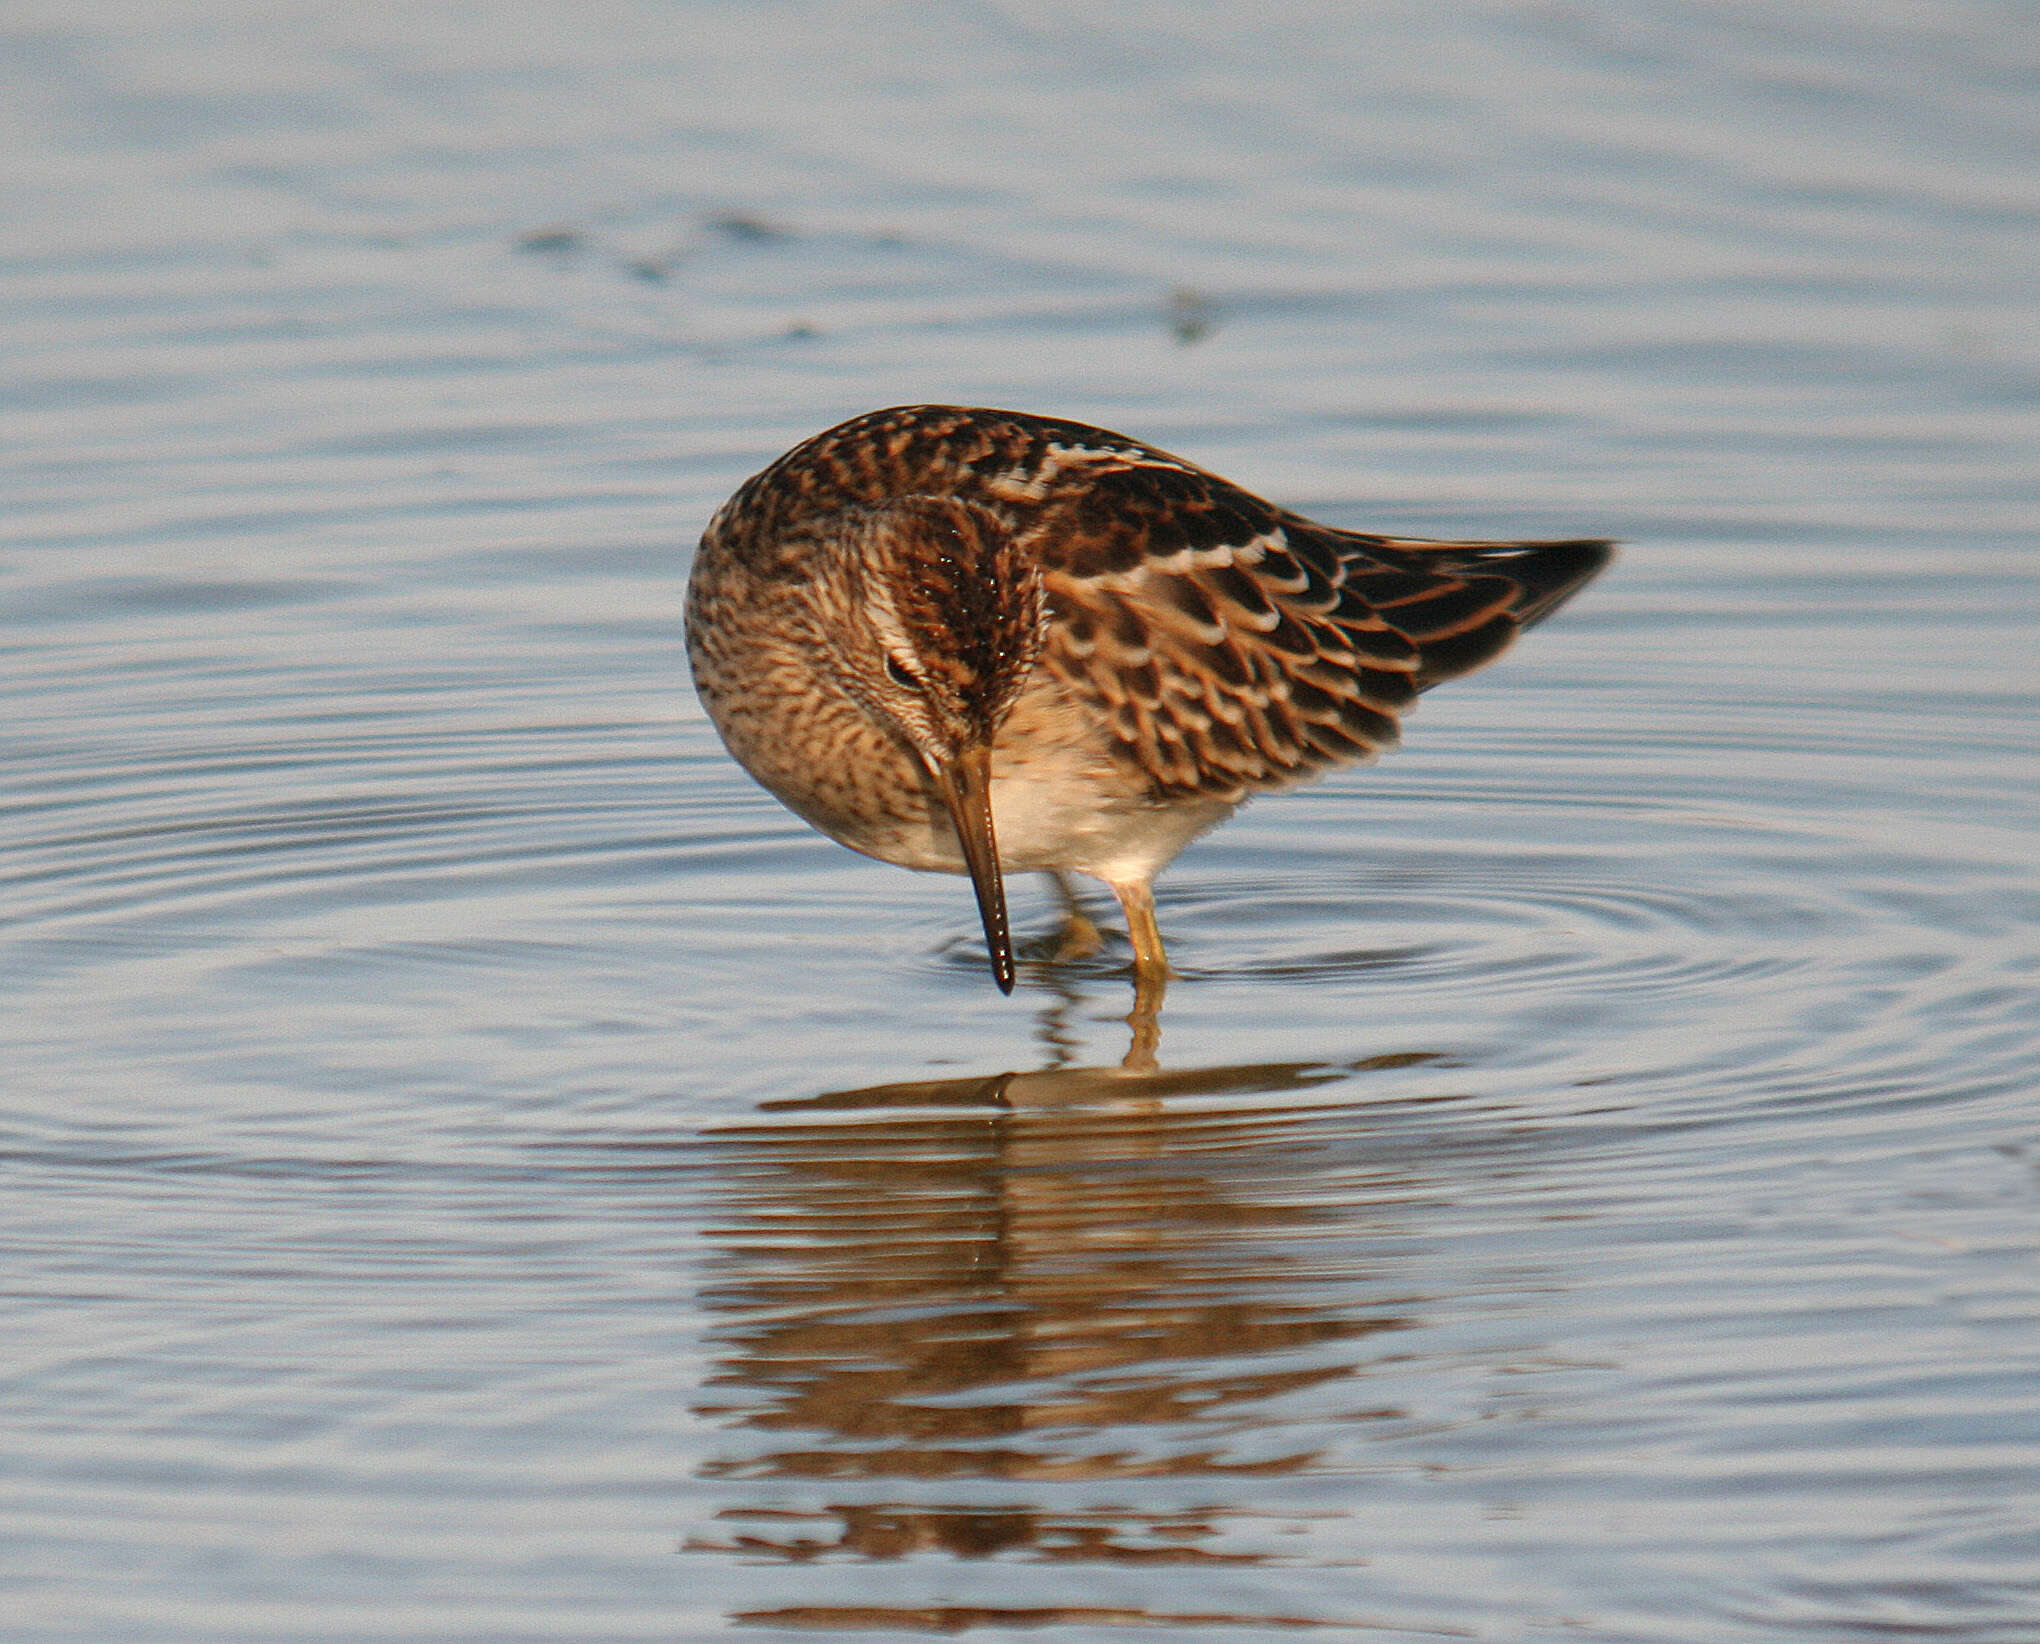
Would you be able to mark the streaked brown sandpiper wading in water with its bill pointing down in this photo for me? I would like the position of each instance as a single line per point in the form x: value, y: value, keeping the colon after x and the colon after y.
x: 982, y: 641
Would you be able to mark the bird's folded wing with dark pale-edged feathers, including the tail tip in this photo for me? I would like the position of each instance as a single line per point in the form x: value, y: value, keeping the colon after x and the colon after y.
x: 1237, y: 648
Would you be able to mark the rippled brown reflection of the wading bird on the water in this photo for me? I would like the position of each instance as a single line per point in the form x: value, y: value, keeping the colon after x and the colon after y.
x: 980, y: 1313
